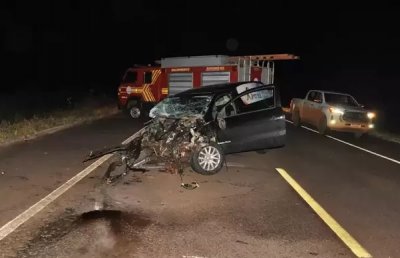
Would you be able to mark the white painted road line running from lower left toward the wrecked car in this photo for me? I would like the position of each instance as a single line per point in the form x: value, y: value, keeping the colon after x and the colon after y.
x: 12, y: 225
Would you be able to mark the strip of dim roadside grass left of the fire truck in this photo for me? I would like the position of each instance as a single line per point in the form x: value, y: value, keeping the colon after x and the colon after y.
x: 11, y: 131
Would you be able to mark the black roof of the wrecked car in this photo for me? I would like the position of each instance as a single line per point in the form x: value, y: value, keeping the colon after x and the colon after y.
x: 214, y: 89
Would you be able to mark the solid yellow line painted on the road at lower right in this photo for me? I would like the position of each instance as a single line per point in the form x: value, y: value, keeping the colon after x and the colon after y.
x: 347, y: 239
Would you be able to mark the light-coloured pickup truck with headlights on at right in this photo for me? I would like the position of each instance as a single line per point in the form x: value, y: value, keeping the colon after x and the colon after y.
x: 332, y: 110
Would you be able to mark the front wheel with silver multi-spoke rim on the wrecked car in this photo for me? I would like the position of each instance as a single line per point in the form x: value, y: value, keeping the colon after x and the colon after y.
x: 210, y: 165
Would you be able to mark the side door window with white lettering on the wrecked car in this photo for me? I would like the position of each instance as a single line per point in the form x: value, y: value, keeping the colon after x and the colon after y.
x: 252, y: 102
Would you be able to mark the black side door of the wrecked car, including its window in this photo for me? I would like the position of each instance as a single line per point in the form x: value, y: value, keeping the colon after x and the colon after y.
x: 253, y: 120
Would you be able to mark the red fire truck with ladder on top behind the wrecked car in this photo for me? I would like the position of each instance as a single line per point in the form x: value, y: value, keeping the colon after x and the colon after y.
x: 142, y: 87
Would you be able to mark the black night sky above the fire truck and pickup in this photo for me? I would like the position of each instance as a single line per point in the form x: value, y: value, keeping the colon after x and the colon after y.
x: 77, y: 45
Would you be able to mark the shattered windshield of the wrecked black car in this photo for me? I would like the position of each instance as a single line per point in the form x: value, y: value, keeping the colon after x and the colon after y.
x: 178, y: 107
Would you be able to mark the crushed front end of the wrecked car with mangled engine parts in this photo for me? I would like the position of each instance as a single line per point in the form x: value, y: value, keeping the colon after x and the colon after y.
x: 168, y: 143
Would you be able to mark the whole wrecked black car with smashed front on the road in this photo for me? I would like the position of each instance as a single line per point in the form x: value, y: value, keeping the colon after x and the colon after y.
x: 198, y: 127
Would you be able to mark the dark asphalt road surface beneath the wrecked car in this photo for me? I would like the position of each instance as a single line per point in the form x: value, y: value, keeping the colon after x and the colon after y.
x: 247, y: 210
